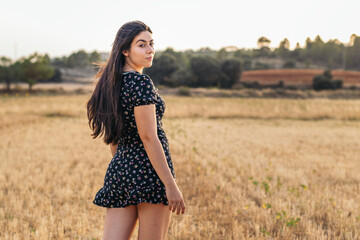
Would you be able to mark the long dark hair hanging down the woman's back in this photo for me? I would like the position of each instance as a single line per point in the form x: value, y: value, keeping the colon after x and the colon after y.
x: 103, y: 106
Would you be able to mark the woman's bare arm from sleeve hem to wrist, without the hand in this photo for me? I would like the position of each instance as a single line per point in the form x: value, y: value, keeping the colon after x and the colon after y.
x: 145, y: 117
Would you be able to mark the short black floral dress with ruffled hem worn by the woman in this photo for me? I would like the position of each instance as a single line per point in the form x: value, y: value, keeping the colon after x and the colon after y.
x: 130, y: 177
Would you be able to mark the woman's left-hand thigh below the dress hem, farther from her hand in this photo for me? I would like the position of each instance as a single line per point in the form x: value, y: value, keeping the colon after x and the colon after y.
x: 120, y: 223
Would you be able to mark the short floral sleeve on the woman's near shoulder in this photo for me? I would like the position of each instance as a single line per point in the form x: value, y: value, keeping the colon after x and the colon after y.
x: 143, y: 92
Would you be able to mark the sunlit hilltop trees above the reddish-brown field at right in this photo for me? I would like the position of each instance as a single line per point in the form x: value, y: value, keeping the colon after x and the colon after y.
x: 331, y: 54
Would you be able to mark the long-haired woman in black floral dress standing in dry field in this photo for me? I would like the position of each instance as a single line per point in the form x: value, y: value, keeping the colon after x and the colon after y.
x: 127, y: 109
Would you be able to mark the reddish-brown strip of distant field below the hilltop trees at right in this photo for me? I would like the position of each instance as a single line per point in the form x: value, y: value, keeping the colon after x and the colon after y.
x: 298, y: 76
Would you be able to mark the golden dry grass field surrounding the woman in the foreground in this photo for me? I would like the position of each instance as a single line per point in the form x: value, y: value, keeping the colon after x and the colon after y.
x: 248, y: 168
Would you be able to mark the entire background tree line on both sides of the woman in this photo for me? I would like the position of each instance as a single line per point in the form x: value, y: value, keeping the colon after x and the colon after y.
x: 201, y: 68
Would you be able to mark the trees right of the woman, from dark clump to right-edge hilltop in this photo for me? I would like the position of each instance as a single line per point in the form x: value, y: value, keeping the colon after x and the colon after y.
x: 223, y: 68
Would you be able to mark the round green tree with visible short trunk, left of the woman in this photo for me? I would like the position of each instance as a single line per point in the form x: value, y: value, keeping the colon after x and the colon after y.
x: 36, y: 67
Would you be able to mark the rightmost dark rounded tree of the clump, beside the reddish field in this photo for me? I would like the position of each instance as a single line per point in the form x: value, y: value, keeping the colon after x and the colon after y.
x: 232, y: 68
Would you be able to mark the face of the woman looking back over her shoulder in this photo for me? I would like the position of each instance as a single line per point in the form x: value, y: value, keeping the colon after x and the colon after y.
x: 141, y: 52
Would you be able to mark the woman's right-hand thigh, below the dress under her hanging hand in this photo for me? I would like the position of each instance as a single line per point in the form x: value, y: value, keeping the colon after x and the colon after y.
x: 154, y: 221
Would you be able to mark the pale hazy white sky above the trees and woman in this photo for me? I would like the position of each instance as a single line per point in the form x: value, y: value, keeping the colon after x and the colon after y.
x: 61, y: 27
